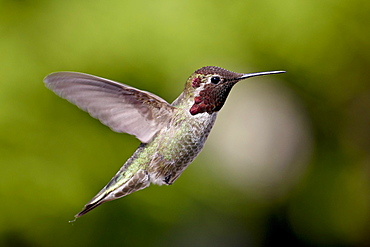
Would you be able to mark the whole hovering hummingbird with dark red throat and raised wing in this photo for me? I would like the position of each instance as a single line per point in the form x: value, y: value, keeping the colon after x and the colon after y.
x: 171, y: 135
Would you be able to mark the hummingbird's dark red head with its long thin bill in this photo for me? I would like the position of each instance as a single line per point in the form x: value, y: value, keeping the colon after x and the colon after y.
x: 211, y: 85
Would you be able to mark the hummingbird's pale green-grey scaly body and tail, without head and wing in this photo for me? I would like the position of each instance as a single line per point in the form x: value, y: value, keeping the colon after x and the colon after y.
x: 161, y: 161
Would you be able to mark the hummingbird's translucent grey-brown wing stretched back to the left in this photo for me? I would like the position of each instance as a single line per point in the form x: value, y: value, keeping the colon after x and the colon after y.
x: 120, y: 107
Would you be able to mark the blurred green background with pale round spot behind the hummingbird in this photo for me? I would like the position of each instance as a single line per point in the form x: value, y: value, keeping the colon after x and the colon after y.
x: 287, y: 162
